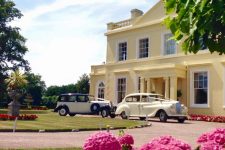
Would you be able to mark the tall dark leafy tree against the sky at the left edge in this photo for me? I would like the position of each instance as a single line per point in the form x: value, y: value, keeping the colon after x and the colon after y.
x: 12, y: 44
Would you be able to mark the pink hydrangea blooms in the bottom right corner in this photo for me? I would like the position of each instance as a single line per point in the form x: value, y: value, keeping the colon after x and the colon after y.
x: 214, y: 140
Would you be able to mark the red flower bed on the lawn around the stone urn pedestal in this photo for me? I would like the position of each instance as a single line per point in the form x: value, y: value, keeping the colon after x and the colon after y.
x: 21, y: 117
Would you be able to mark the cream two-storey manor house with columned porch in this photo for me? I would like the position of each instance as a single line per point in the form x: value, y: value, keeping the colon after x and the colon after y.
x: 141, y: 57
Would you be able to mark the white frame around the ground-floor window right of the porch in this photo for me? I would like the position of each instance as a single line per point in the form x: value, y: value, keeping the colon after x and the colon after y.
x: 192, y: 101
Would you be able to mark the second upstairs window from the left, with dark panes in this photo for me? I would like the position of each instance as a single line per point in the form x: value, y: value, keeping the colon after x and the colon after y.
x: 143, y: 48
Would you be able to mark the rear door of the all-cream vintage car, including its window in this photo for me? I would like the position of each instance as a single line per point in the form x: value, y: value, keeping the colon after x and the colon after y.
x: 133, y: 103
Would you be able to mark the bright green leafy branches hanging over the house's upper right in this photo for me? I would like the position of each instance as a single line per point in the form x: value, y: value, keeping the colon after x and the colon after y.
x: 198, y: 23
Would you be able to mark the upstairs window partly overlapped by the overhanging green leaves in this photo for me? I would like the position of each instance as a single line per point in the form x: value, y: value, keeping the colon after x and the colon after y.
x: 169, y: 44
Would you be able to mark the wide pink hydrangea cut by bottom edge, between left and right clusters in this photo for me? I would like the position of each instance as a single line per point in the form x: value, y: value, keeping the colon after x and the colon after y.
x: 166, y: 143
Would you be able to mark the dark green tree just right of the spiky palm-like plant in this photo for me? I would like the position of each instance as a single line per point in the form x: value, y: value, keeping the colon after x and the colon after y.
x: 35, y: 87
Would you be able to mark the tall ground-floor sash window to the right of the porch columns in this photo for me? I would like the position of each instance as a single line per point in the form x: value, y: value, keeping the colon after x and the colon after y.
x: 200, y: 88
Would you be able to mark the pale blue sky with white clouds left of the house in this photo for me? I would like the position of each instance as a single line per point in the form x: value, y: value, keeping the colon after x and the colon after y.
x: 66, y: 37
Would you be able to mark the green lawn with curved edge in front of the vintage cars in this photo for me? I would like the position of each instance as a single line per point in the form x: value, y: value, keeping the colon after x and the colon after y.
x: 50, y: 121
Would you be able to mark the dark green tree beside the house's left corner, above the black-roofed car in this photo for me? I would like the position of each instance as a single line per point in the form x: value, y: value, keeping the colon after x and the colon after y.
x: 83, y: 84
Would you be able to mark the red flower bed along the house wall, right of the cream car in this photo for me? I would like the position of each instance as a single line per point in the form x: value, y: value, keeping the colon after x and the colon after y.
x: 207, y: 118
